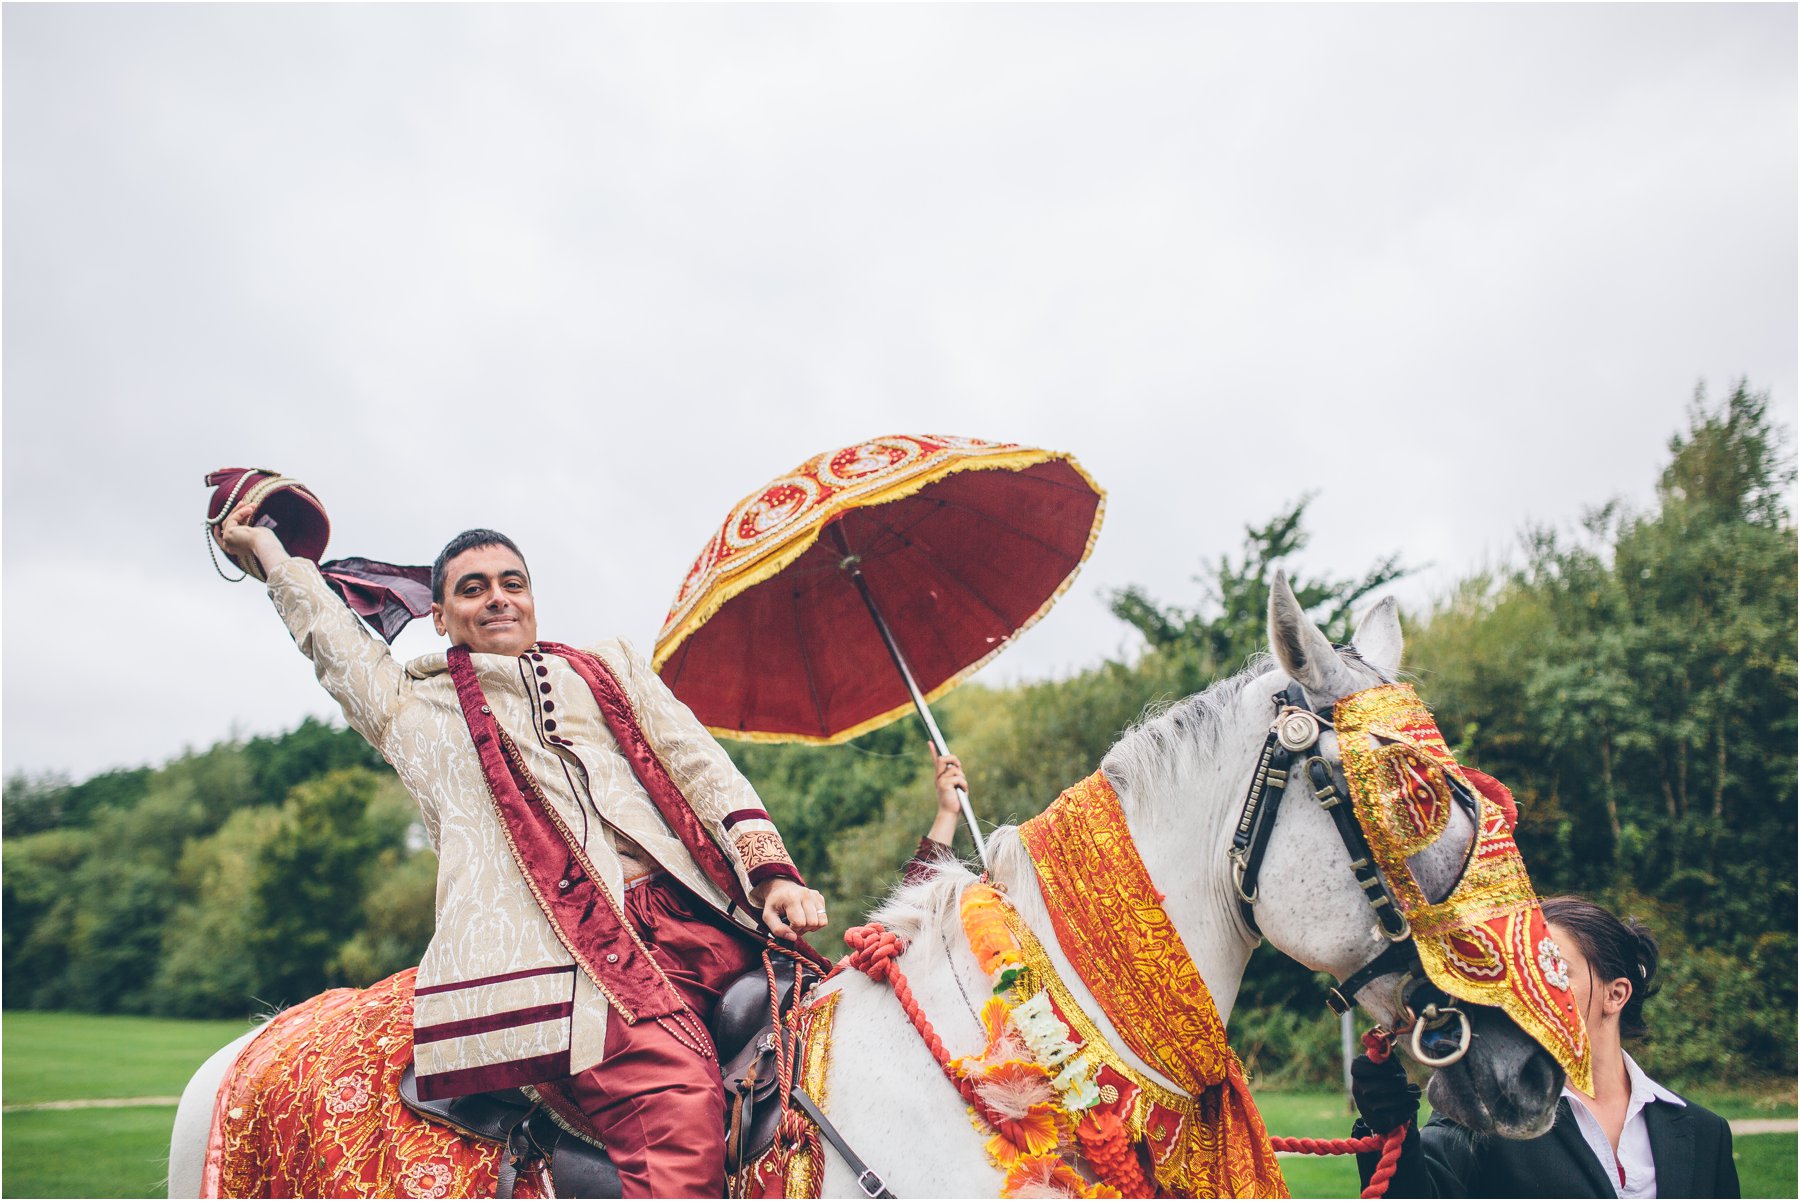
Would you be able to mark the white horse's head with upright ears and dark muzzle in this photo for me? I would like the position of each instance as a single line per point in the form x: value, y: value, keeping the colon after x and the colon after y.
x: 1324, y: 898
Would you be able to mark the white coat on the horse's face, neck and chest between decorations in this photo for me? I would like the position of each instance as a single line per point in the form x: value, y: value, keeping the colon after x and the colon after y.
x: 1182, y: 779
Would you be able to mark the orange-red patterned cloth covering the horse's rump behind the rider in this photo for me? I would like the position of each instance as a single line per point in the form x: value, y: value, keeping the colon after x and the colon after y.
x: 312, y: 1110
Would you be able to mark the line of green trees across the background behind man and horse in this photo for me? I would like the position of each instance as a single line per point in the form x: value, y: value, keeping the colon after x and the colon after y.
x: 1632, y: 678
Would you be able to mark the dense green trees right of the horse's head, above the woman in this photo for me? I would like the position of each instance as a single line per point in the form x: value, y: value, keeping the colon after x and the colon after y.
x: 1635, y: 683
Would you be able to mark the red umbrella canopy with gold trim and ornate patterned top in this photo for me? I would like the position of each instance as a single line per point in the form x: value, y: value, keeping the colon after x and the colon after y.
x: 960, y: 543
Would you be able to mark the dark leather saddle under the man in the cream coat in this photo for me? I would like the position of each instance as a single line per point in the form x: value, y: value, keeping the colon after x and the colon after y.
x: 539, y: 1124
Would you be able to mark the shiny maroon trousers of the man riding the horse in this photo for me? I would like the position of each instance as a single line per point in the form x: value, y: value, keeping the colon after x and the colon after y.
x: 656, y: 1099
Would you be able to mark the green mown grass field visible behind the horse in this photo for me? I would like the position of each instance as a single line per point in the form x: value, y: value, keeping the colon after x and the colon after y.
x: 121, y: 1153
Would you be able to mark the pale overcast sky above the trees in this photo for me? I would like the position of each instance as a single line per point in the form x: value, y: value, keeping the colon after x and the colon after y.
x: 589, y: 275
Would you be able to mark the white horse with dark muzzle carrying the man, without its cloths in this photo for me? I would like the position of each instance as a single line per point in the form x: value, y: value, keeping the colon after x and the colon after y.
x: 1182, y: 779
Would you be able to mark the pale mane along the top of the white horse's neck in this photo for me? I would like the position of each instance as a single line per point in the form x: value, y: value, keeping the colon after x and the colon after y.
x: 1164, y: 754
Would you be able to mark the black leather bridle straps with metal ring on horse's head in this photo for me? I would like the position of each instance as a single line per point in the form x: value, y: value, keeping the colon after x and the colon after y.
x: 1295, y: 736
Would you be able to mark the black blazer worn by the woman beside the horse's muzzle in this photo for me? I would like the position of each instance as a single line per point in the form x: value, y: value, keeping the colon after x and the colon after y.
x: 1691, y: 1144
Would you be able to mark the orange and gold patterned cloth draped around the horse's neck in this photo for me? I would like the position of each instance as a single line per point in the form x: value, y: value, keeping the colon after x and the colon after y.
x: 1113, y: 928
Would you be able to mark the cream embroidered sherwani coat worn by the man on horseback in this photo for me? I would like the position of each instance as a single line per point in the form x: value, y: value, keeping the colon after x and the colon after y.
x: 498, y: 993
